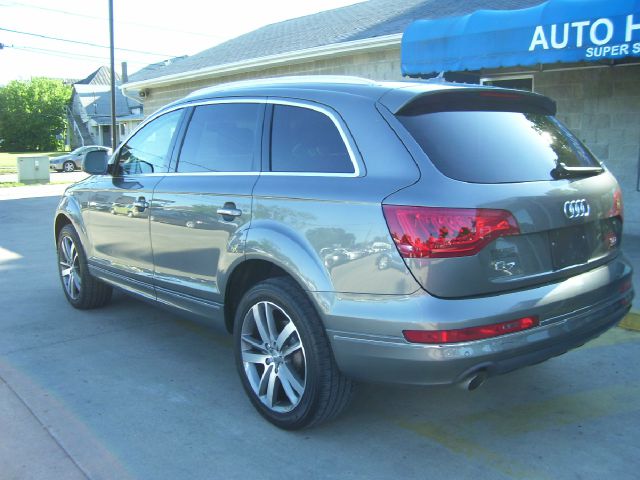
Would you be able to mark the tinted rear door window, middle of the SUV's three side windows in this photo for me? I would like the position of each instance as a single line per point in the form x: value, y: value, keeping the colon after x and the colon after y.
x: 222, y: 137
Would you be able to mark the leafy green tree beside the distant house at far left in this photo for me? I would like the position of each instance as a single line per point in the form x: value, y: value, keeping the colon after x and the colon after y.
x: 33, y: 114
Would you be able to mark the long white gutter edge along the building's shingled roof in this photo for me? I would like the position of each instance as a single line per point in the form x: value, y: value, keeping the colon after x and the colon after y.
x: 271, y: 60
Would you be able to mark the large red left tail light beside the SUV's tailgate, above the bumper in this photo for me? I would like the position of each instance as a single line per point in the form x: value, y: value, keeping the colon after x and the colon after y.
x: 446, y: 232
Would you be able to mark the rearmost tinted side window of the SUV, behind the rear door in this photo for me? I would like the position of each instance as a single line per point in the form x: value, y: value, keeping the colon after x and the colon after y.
x: 305, y: 140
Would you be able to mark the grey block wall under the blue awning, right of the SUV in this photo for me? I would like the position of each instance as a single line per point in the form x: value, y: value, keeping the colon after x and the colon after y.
x: 602, y: 107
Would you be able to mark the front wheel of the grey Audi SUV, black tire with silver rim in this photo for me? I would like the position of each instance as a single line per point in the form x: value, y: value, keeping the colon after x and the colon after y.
x: 82, y: 290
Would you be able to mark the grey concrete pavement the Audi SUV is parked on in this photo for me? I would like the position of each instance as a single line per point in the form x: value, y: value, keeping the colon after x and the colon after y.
x: 134, y: 392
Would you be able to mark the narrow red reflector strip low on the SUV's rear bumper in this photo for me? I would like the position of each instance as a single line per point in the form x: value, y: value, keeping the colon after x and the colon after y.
x: 471, y: 333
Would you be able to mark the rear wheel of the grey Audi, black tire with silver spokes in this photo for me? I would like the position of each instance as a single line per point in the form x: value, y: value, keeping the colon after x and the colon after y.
x: 325, y: 391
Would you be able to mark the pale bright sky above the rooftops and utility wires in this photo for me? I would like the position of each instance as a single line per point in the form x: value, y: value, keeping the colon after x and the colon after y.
x: 145, y: 31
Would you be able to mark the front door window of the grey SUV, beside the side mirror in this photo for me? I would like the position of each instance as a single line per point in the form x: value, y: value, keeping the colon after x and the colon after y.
x: 148, y: 150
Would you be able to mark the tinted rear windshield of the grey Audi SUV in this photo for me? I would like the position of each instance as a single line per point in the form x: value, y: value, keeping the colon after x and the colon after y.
x: 496, y: 147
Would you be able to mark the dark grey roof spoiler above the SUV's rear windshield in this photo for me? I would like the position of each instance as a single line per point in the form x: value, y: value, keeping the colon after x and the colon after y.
x: 467, y: 99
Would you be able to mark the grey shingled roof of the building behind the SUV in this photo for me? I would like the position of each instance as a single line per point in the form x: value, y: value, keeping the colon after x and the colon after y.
x: 366, y: 20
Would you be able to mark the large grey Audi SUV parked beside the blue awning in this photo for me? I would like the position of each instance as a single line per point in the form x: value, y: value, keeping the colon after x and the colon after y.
x: 503, y: 231
